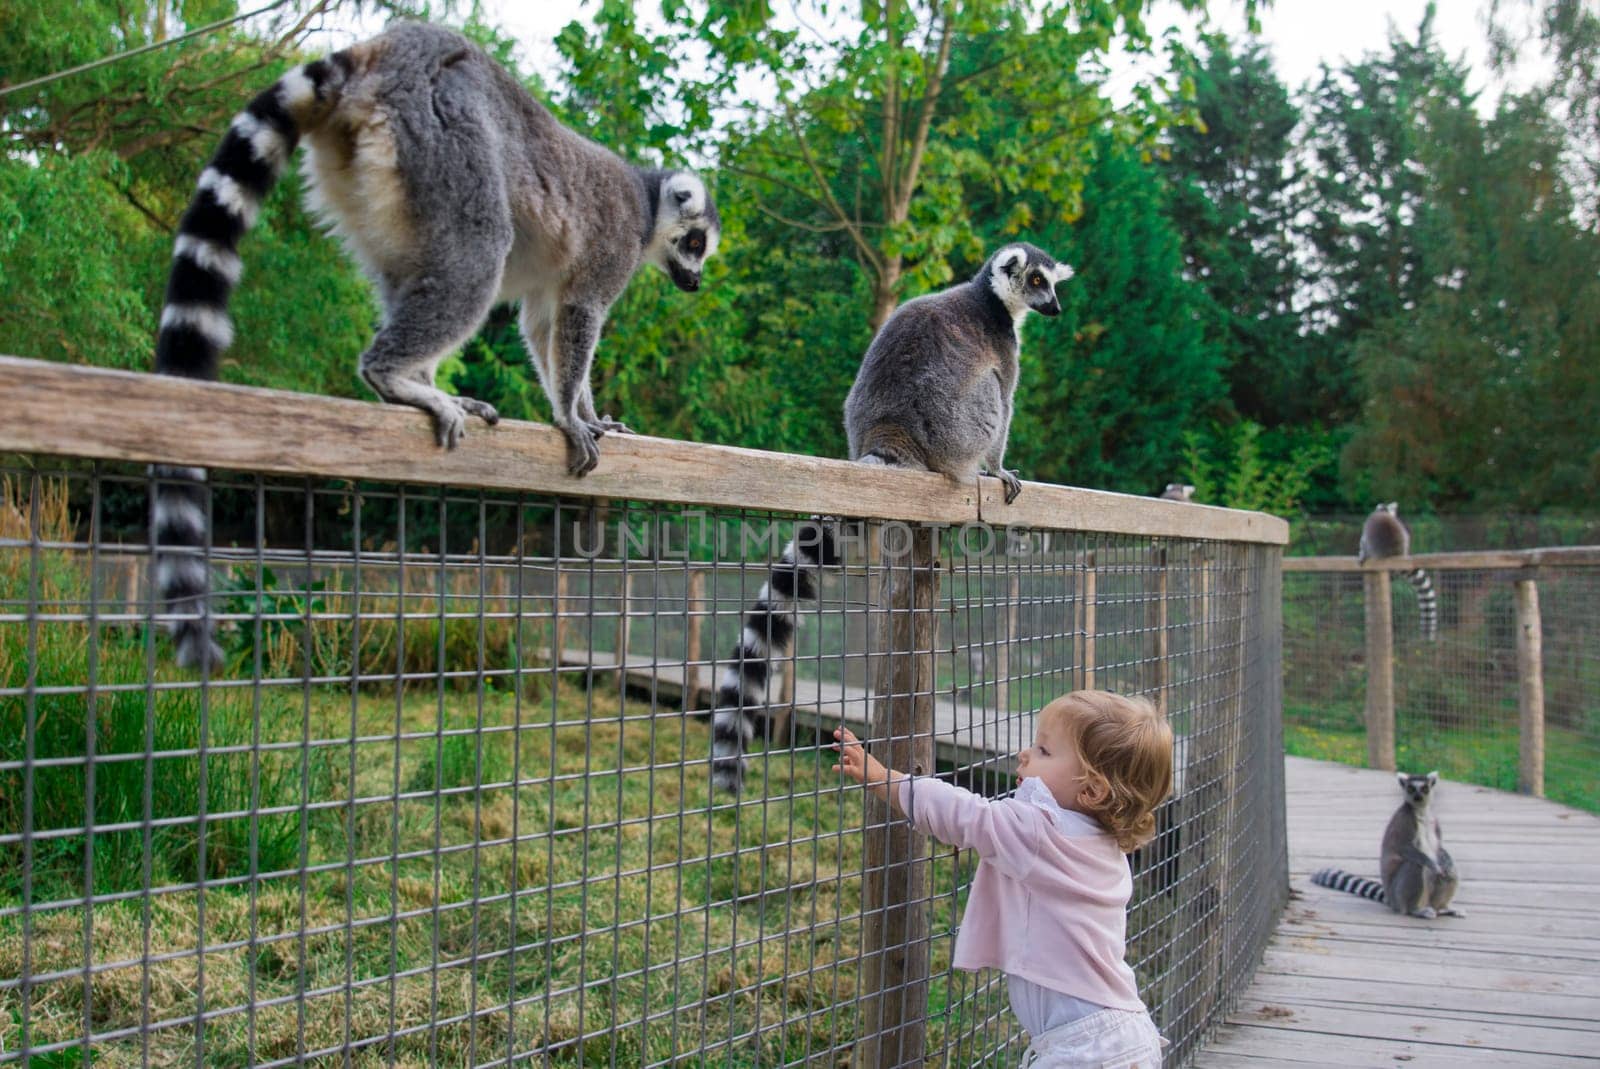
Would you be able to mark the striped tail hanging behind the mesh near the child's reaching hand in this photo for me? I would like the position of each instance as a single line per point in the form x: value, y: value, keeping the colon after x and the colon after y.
x: 769, y: 630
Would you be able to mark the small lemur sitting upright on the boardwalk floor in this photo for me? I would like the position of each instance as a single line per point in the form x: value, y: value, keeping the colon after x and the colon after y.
x: 1418, y: 873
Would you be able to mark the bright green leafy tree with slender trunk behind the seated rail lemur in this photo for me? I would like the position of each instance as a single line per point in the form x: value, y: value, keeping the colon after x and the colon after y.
x: 871, y: 134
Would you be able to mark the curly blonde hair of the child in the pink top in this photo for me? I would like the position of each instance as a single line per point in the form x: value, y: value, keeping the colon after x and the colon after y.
x: 1127, y: 751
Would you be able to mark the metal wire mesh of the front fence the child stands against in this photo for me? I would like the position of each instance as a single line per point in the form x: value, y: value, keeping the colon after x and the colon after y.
x: 444, y: 804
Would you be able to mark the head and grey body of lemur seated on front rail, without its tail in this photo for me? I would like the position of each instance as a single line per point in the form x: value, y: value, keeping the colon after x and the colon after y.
x: 937, y: 388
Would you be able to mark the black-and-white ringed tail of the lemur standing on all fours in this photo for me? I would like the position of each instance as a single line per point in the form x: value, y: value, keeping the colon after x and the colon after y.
x: 196, y: 327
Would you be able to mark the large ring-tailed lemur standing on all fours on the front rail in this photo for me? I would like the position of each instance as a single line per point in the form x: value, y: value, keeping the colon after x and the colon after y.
x: 454, y: 190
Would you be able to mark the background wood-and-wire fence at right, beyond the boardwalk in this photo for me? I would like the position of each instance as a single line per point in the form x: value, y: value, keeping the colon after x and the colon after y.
x: 1508, y: 695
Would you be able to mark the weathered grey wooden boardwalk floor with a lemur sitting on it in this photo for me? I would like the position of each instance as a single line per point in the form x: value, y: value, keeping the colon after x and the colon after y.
x: 1348, y: 983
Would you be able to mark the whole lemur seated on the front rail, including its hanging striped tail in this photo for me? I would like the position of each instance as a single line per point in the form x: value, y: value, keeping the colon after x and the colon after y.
x: 935, y: 393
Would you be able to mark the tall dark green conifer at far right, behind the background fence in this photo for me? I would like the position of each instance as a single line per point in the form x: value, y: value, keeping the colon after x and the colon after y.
x: 1487, y: 391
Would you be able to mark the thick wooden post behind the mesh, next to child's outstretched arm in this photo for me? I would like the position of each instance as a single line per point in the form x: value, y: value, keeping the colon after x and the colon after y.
x: 895, y: 886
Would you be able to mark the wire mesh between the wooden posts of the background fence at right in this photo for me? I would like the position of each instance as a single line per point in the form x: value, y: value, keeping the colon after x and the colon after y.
x: 1457, y: 707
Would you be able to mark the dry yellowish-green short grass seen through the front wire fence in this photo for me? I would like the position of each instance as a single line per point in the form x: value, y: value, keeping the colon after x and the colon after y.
x: 599, y: 849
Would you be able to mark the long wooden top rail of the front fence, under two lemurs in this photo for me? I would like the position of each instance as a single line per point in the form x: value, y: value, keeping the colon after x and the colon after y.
x: 273, y: 431
